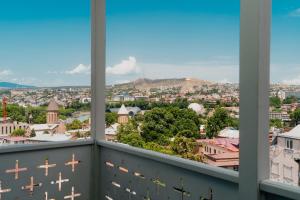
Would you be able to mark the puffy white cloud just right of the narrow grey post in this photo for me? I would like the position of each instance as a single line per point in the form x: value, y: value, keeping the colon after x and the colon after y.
x: 128, y: 66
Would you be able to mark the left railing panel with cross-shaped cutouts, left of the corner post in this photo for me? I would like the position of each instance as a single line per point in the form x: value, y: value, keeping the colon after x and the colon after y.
x: 51, y: 171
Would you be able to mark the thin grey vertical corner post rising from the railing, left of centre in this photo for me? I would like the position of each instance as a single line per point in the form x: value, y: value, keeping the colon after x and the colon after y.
x: 98, y: 69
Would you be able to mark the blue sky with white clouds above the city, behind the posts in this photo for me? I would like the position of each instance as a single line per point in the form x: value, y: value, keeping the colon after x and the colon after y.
x: 47, y: 43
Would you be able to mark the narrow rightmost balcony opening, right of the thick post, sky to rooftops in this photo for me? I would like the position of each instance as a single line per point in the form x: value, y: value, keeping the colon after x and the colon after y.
x: 285, y: 93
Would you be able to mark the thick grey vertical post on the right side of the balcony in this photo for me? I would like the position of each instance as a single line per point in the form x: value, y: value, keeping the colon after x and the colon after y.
x: 254, y: 96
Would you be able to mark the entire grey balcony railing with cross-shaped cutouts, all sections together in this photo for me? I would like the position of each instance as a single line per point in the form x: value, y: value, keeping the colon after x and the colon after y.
x: 70, y: 171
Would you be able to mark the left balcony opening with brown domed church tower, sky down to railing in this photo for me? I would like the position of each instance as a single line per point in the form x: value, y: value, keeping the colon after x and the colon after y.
x: 44, y: 71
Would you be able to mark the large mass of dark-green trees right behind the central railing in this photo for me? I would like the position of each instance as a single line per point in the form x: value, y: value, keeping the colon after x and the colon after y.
x: 168, y: 130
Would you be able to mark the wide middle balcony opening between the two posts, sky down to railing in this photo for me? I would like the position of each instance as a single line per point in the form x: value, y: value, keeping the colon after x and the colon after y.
x: 172, y: 78
